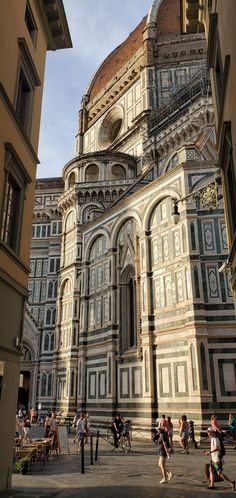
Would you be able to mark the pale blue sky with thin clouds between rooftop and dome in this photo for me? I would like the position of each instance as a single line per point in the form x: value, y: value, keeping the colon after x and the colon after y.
x: 96, y: 28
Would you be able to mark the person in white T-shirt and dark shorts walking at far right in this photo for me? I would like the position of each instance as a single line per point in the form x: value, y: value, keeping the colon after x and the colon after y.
x: 217, y: 453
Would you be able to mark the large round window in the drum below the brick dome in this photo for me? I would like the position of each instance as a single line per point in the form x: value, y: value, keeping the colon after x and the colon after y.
x: 111, y: 127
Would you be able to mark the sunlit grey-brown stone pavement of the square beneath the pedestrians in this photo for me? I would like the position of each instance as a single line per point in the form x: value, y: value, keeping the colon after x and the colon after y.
x: 119, y: 475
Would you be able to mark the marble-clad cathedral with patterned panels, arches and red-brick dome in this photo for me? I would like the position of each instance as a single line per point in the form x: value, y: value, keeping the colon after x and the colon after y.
x: 133, y: 313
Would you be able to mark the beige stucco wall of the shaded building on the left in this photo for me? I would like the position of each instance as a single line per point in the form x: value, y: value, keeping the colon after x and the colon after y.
x: 24, y: 143
